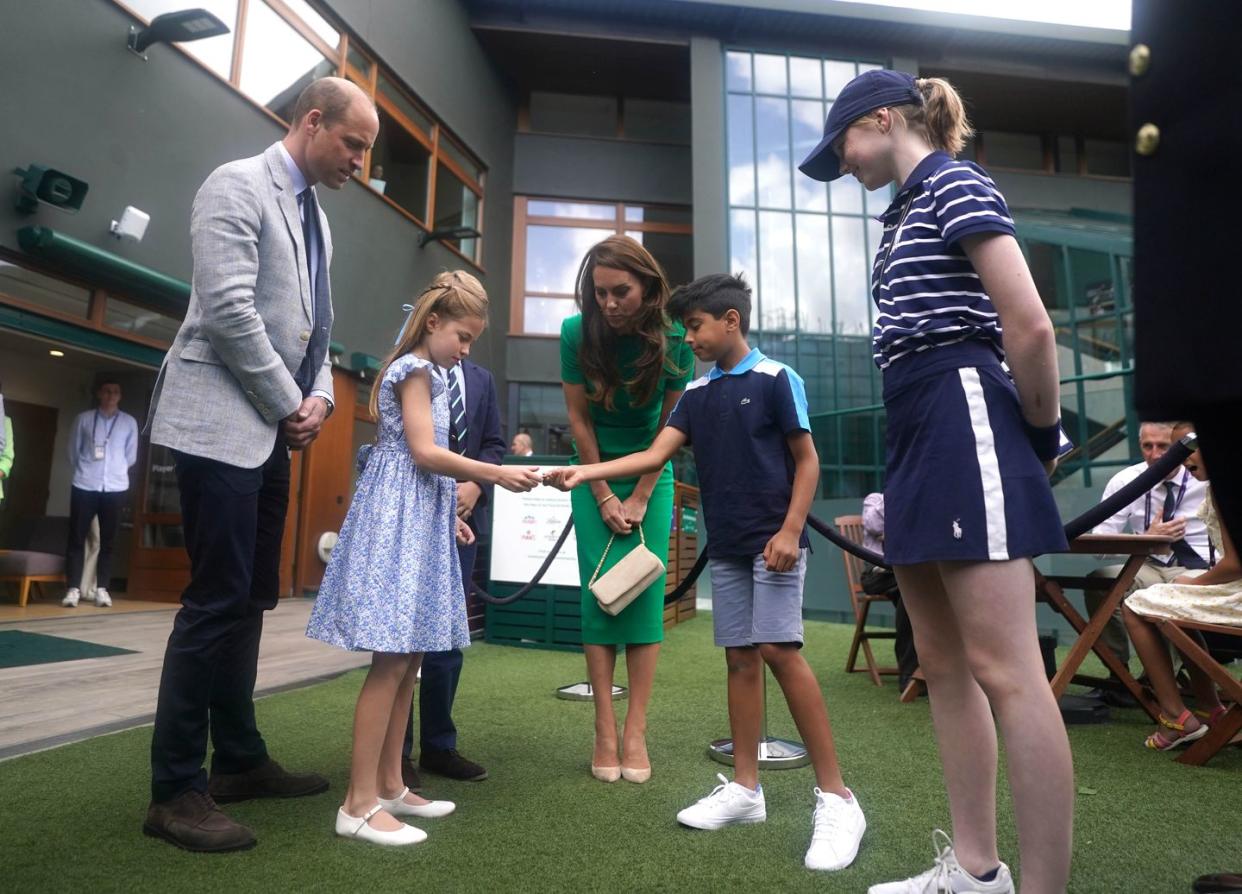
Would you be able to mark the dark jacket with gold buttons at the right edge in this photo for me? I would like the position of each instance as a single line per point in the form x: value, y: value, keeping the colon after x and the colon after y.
x: 1187, y: 201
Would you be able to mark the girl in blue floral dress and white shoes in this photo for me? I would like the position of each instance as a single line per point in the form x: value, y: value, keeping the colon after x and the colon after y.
x: 393, y: 585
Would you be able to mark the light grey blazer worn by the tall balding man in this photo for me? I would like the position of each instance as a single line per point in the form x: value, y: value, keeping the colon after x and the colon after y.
x: 228, y: 381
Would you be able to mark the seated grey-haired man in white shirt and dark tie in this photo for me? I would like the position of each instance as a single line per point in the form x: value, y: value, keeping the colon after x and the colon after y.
x: 1171, y: 508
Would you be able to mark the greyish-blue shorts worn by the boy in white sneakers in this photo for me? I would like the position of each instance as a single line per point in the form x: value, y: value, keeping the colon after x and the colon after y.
x: 752, y: 605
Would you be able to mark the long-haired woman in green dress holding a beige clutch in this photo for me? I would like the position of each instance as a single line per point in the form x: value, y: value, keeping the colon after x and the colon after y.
x: 624, y: 366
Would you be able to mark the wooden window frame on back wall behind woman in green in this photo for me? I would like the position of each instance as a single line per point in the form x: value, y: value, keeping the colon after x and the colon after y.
x: 617, y: 225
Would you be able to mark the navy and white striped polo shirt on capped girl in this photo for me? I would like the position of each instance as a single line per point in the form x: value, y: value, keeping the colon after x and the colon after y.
x: 925, y: 287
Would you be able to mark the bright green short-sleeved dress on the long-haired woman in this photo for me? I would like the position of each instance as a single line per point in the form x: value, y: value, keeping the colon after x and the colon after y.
x: 625, y: 430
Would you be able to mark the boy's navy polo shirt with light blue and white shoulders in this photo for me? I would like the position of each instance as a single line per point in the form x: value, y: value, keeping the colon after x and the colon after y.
x: 737, y: 422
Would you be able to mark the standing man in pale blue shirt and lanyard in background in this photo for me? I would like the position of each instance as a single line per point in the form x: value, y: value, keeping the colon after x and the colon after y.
x: 104, y: 445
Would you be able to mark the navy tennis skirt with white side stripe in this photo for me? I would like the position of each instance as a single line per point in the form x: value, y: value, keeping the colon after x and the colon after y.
x: 963, y: 481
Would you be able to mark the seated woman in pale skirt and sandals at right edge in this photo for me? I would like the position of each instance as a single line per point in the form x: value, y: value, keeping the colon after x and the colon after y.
x: 1213, y: 597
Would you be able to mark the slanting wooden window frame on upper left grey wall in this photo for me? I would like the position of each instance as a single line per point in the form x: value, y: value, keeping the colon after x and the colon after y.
x: 368, y: 81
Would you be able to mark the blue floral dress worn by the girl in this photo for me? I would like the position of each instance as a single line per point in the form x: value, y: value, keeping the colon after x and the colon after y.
x: 394, y: 582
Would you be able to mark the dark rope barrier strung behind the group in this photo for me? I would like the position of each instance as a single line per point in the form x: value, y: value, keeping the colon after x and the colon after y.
x: 1152, y: 476
